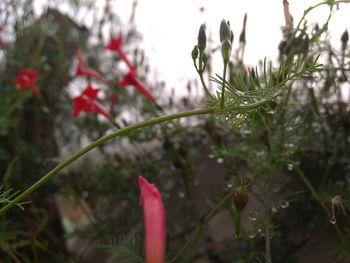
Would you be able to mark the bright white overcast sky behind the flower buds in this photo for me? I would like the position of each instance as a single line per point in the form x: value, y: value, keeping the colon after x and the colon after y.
x: 169, y: 29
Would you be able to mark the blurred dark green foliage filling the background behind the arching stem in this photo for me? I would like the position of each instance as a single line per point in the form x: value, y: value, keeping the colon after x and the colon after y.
x: 292, y: 155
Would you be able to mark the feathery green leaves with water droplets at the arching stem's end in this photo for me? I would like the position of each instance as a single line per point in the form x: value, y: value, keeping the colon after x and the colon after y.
x: 248, y: 91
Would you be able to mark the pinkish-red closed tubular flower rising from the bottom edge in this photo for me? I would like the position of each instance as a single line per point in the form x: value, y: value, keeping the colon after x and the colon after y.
x: 154, y: 213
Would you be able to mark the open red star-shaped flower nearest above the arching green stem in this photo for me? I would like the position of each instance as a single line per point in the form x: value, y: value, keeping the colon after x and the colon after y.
x: 86, y: 103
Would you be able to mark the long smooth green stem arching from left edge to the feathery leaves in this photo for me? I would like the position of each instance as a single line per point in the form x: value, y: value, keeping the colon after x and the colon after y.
x: 93, y: 145
